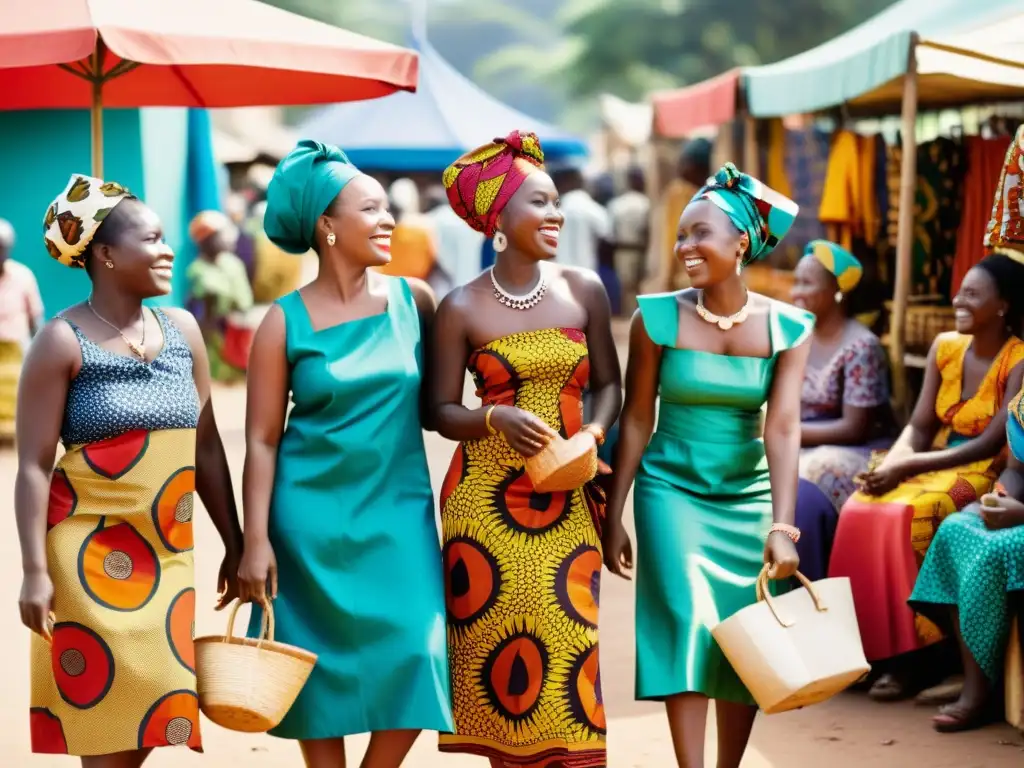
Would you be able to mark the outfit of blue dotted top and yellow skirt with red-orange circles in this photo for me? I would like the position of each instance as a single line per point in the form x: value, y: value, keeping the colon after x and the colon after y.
x: 120, y: 674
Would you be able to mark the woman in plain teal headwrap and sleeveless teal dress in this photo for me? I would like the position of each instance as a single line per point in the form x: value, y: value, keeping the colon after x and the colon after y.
x: 340, y: 526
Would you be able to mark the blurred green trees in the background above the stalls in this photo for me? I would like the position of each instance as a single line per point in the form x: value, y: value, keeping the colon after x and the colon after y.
x: 550, y: 58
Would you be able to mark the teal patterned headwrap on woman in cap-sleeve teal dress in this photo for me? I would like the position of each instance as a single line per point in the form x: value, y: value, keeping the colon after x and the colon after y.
x: 761, y: 212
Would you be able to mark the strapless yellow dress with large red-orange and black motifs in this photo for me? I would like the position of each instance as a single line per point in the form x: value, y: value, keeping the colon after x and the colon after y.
x: 523, y: 573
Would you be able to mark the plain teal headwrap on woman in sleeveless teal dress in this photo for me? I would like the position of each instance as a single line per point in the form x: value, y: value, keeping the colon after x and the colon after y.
x: 304, y: 186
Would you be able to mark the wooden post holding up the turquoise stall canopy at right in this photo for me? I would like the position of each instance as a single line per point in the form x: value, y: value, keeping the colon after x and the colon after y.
x: 905, y: 241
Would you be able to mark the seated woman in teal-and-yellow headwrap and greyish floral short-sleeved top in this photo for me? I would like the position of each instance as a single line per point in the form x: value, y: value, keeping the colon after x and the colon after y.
x: 845, y: 411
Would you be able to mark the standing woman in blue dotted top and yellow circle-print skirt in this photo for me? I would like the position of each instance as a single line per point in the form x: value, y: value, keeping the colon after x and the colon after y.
x: 107, y: 537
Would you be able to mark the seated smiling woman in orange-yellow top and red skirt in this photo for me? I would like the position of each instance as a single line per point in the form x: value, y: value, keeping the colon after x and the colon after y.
x: 948, y: 457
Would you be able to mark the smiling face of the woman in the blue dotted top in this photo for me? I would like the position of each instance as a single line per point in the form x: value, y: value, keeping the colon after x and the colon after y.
x: 132, y: 238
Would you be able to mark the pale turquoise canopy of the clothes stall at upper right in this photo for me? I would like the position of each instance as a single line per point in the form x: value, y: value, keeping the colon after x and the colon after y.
x: 864, y: 69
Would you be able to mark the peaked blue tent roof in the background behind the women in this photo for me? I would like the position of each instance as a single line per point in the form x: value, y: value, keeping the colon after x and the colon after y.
x: 428, y: 131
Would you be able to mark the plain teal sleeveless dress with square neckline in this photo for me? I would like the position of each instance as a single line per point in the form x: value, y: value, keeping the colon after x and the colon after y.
x: 353, y: 527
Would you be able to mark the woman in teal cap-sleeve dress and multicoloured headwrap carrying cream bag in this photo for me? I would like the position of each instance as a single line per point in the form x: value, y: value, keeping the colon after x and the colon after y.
x: 715, y: 494
